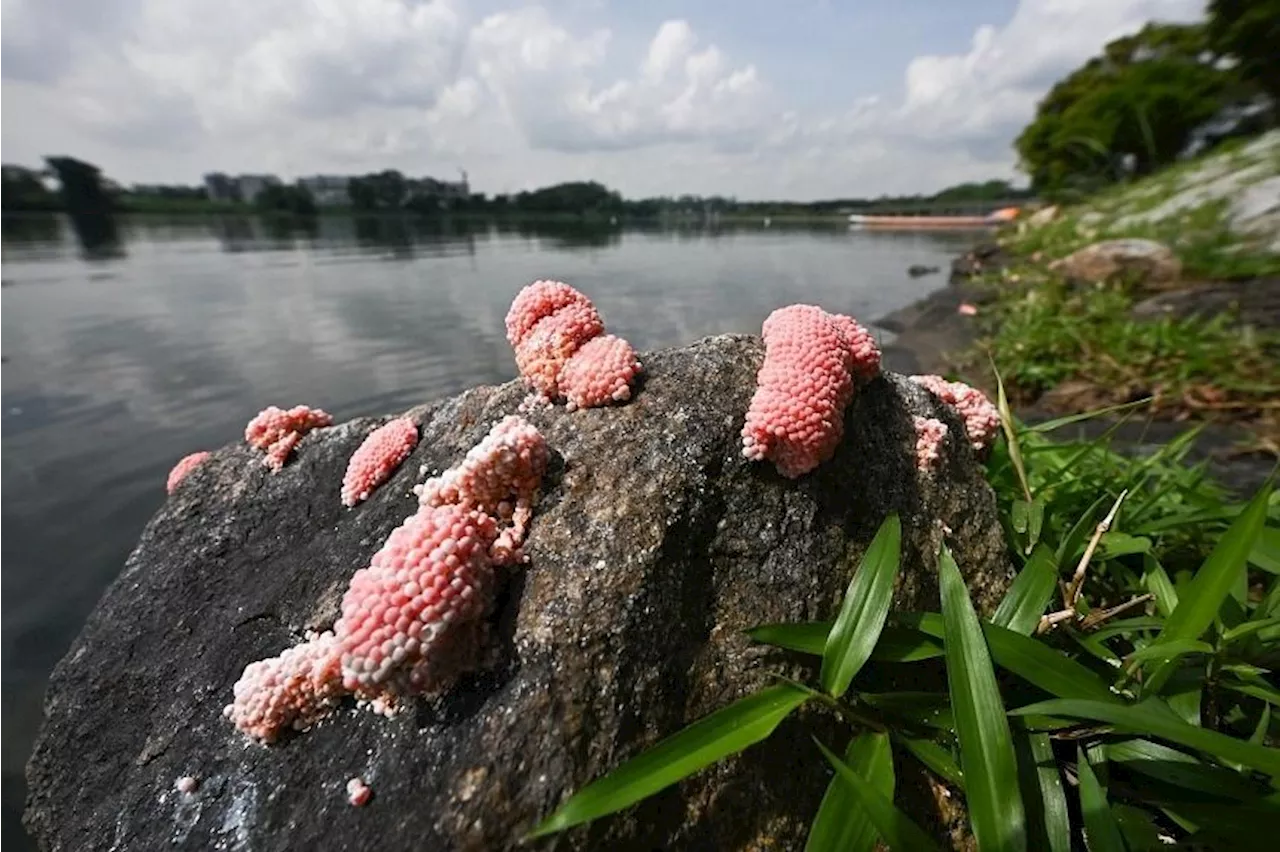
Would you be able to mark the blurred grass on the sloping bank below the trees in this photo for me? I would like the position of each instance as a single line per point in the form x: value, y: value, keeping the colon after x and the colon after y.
x: 1082, y: 345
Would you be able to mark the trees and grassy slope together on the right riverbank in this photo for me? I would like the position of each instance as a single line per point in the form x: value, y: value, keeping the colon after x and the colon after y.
x: 1164, y: 139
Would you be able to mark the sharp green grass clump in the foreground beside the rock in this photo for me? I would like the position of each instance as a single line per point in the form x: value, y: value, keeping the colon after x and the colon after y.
x: 1135, y: 700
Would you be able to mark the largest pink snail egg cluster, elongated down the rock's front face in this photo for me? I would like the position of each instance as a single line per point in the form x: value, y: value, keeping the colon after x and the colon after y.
x: 414, y: 619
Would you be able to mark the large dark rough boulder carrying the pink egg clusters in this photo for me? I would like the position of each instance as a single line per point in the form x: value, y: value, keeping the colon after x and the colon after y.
x: 653, y: 547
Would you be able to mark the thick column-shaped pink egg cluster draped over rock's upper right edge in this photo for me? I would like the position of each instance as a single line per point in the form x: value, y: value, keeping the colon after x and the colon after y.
x: 812, y: 361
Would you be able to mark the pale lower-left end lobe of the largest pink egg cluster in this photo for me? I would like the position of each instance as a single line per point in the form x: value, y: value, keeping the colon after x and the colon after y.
x: 294, y: 690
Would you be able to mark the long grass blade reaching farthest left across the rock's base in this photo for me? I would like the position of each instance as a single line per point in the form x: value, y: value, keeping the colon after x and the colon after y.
x: 725, y: 732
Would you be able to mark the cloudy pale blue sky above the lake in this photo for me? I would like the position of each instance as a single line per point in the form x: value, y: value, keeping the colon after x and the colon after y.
x: 757, y: 99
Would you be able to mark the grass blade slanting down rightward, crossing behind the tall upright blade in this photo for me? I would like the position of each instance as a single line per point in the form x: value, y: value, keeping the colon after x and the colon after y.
x: 1030, y: 659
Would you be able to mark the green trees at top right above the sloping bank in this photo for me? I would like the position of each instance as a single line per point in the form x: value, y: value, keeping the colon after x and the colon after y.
x: 1156, y: 97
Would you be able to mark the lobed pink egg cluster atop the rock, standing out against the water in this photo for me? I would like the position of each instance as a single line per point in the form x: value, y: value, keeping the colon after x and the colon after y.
x: 560, y: 351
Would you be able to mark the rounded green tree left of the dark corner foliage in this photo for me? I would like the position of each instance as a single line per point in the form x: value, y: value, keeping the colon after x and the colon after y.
x: 1131, y: 111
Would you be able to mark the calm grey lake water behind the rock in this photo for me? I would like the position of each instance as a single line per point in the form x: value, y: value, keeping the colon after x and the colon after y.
x: 131, y: 346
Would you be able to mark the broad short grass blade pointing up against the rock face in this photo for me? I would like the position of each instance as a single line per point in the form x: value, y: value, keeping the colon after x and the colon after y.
x: 865, y: 611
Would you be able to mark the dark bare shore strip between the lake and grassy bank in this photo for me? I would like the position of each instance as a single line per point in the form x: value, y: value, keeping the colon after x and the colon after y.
x: 931, y: 335
